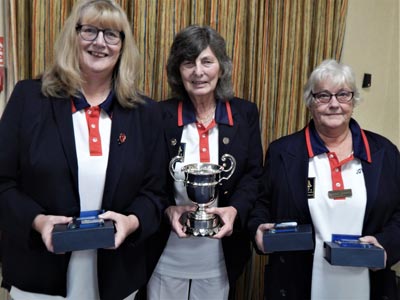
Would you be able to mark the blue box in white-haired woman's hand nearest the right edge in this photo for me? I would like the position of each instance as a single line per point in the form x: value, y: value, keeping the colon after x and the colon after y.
x: 346, y: 250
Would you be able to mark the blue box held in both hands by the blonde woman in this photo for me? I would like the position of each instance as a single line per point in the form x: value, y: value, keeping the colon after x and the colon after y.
x: 85, y: 232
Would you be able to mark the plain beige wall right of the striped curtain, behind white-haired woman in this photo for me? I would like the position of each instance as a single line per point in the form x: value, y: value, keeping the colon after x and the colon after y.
x: 371, y: 45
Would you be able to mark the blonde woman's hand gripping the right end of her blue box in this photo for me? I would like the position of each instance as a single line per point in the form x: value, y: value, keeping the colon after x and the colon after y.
x: 124, y: 225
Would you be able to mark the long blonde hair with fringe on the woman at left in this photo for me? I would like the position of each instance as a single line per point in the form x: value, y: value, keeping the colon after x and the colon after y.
x: 63, y: 78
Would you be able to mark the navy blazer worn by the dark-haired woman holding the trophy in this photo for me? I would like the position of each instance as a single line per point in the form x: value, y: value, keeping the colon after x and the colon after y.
x: 243, y: 142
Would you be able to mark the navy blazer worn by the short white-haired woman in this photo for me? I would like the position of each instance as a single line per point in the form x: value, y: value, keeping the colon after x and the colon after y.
x: 288, y: 274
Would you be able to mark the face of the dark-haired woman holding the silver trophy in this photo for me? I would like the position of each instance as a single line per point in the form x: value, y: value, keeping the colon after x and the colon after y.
x: 200, y: 77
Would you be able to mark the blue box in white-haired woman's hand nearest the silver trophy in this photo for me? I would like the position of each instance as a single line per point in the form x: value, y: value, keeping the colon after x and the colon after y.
x: 296, y: 239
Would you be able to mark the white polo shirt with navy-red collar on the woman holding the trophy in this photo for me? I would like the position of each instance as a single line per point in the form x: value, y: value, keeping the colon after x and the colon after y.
x: 195, y: 257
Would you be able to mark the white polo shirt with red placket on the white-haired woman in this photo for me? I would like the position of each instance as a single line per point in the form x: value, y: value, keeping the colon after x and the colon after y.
x: 337, y: 215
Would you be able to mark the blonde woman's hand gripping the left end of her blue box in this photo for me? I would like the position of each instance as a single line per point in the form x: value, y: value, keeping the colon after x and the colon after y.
x: 44, y: 225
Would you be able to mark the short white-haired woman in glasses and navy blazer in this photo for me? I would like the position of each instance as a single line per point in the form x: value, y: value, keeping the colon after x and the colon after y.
x: 339, y: 178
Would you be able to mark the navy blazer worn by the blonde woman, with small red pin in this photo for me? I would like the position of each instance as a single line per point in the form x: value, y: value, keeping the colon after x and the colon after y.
x: 38, y: 175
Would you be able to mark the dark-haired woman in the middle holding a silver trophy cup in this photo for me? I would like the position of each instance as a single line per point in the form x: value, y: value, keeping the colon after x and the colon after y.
x: 215, y: 161
